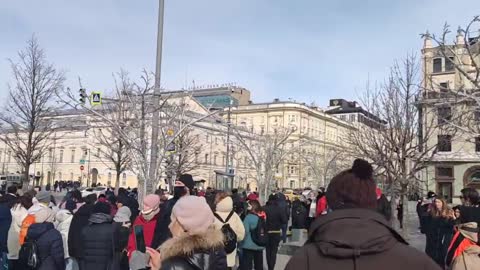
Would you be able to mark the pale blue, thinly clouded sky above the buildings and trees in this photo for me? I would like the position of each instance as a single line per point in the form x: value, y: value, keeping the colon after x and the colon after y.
x: 307, y: 50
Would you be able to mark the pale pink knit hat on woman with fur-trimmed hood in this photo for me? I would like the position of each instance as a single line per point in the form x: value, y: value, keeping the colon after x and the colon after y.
x: 194, y: 214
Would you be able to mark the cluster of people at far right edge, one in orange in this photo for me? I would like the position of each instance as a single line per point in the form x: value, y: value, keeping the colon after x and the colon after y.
x: 451, y: 233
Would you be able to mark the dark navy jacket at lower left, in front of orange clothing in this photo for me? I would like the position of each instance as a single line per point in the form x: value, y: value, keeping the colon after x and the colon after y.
x: 50, y: 245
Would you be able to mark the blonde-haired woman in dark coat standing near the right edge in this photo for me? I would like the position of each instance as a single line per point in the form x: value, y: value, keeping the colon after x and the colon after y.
x: 439, y: 231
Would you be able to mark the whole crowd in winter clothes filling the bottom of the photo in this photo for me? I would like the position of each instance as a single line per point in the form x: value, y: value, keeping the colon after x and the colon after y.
x: 348, y: 228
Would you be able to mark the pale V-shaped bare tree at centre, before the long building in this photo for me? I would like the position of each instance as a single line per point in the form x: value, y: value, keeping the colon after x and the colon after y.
x: 265, y: 152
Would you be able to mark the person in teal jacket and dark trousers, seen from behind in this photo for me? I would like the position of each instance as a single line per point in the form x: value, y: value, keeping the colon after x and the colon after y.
x: 252, y: 254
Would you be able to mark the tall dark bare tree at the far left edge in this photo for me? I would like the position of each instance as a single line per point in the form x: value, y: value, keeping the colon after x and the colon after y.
x: 27, y: 118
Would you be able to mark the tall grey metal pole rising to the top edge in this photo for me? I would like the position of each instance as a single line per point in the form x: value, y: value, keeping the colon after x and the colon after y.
x: 156, y: 101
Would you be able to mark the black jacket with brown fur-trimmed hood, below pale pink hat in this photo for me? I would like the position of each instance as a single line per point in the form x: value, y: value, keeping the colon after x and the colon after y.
x: 198, y: 252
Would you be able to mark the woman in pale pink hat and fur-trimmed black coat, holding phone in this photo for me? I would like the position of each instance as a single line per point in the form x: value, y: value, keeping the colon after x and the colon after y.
x: 196, y: 243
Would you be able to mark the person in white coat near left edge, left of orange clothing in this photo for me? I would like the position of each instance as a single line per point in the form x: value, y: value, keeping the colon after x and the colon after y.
x: 19, y: 211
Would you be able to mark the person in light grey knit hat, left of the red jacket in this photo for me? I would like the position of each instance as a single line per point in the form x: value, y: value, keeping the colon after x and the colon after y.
x: 122, y: 227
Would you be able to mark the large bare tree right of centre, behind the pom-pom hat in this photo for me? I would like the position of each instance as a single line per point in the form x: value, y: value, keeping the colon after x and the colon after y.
x: 399, y: 146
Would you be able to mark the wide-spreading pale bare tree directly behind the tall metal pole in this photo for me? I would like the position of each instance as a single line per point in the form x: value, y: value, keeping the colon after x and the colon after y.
x: 134, y: 125
